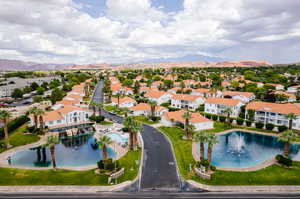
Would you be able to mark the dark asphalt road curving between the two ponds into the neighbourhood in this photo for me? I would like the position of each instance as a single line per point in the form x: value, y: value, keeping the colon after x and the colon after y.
x: 159, y: 167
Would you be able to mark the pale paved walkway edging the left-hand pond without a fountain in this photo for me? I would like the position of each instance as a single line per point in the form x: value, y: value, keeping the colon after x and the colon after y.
x: 121, y: 151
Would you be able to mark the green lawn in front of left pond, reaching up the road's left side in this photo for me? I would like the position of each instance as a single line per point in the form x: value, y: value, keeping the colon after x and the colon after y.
x: 66, y: 177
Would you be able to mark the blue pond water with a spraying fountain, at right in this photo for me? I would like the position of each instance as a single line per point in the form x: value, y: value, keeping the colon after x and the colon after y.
x: 241, y: 149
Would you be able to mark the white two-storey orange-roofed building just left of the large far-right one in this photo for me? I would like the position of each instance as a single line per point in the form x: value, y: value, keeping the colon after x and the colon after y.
x: 220, y: 105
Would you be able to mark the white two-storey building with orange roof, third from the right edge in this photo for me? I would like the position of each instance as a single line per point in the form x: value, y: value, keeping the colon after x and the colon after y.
x: 191, y: 102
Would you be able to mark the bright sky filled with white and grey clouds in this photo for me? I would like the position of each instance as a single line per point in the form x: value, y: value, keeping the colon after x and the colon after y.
x: 130, y: 31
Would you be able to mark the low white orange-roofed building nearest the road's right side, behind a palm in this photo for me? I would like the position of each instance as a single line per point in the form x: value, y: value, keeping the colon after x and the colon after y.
x: 197, y: 120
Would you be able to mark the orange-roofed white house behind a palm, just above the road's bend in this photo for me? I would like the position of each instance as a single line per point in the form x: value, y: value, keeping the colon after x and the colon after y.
x: 145, y: 109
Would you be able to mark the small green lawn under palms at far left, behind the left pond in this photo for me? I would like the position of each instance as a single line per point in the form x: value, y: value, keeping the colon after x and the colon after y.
x: 19, y: 138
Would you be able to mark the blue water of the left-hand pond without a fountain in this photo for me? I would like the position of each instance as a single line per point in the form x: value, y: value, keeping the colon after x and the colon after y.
x: 70, y: 152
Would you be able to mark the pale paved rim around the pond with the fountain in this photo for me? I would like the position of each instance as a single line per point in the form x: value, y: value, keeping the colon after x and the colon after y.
x: 262, y: 165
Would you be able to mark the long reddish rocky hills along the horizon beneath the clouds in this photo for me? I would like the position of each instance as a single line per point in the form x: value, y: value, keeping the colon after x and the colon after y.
x: 16, y: 65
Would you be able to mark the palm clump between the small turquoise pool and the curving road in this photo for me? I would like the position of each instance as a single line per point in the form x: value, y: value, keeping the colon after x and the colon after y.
x: 133, y: 128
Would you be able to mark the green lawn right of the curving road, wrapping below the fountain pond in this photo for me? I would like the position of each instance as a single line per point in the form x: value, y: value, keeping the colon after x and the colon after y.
x: 272, y: 175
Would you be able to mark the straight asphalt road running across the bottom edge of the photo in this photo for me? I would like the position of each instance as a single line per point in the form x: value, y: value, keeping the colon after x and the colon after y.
x: 158, y: 195
